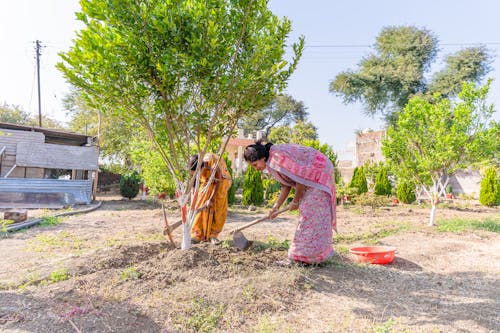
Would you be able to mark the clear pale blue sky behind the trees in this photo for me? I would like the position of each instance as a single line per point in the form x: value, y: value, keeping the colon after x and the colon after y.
x: 338, y: 34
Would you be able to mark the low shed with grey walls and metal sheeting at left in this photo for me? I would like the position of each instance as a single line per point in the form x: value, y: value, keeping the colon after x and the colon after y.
x: 42, y: 167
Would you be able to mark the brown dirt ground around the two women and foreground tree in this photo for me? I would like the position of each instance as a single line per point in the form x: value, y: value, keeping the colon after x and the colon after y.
x: 112, y: 270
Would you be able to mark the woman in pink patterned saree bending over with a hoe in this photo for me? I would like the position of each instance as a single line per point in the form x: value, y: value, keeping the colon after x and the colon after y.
x: 311, y: 174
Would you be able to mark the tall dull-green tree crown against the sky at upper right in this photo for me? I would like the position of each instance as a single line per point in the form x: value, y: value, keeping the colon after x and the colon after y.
x: 386, y: 79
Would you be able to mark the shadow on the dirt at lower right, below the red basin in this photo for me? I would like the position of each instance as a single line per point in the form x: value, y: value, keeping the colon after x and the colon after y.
x: 403, y: 290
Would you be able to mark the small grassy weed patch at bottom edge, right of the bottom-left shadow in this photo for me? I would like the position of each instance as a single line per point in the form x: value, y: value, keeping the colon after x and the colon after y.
x: 203, y: 316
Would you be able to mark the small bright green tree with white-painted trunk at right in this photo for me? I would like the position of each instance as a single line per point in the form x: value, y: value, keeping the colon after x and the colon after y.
x: 431, y: 141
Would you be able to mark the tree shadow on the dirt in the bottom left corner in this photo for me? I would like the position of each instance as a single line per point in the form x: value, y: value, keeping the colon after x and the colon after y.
x: 69, y: 311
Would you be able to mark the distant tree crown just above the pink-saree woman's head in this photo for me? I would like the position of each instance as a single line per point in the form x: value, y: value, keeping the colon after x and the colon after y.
x: 283, y: 111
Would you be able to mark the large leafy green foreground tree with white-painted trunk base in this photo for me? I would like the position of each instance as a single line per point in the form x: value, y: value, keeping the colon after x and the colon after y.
x: 185, y: 70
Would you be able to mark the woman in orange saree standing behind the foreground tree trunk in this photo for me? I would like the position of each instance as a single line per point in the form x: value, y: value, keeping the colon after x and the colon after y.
x: 211, y: 197
